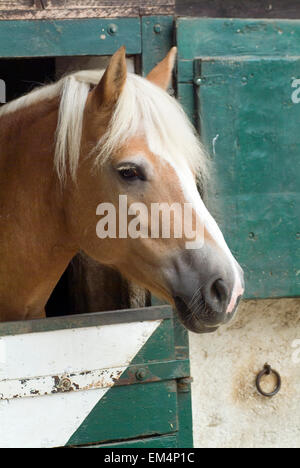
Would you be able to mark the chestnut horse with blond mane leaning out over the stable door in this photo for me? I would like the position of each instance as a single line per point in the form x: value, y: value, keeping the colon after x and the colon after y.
x: 87, y: 140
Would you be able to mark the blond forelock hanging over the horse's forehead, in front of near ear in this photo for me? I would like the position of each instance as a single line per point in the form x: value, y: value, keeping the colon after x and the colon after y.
x: 144, y: 109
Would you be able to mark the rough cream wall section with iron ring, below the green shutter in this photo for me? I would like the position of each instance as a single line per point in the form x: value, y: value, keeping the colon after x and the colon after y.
x: 227, y: 409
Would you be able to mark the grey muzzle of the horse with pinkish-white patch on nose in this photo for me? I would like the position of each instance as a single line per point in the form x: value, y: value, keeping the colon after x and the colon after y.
x: 206, y: 290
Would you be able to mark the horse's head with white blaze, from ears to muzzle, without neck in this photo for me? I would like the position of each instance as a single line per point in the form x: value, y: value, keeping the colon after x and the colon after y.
x: 140, y: 158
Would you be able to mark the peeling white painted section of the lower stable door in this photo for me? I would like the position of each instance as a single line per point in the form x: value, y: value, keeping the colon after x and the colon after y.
x: 50, y: 421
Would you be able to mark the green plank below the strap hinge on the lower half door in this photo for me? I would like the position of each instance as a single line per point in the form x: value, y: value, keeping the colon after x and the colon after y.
x: 131, y: 411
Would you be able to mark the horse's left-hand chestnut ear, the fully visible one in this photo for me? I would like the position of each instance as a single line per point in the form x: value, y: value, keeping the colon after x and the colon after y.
x: 112, y: 82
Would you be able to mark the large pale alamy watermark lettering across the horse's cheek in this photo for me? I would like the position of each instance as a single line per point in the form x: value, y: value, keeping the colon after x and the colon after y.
x: 160, y: 220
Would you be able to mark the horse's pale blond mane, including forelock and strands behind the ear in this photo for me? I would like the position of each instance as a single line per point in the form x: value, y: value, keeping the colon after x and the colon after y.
x: 142, y: 108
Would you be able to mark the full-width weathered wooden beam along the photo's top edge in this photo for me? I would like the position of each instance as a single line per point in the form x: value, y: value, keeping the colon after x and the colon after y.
x: 59, y: 9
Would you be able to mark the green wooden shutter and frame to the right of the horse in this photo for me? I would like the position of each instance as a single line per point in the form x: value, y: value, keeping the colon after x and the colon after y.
x: 242, y: 92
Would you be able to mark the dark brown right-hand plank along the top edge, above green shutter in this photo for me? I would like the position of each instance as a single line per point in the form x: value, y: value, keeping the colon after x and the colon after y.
x: 239, y: 8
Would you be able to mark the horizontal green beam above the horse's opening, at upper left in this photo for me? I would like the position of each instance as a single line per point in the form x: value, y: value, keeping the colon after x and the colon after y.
x: 67, y: 38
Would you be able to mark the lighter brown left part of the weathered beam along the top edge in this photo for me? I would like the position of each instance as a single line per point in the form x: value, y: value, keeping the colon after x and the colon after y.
x: 58, y: 9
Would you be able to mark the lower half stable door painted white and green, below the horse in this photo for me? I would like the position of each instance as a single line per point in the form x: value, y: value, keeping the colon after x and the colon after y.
x: 117, y: 379
